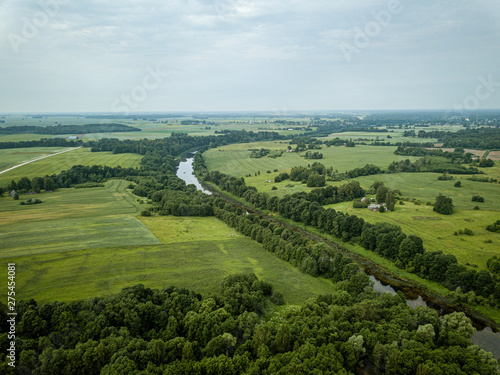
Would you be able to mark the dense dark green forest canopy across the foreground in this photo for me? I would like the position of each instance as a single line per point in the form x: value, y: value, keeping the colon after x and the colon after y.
x: 177, y: 331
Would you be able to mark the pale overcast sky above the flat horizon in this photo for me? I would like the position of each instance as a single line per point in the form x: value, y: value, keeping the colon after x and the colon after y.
x: 248, y: 55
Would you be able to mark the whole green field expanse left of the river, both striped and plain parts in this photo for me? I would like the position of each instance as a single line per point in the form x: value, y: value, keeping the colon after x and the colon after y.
x: 82, y: 243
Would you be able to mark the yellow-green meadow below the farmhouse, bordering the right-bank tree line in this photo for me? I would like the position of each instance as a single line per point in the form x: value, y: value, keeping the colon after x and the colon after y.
x: 437, y: 231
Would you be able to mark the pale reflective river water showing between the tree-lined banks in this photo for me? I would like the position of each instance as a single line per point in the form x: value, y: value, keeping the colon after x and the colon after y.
x: 484, y: 337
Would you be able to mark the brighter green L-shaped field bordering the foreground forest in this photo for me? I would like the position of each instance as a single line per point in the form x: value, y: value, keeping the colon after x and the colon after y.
x: 196, y: 253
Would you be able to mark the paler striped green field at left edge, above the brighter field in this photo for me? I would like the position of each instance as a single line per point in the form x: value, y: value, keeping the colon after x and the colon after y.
x: 72, y: 219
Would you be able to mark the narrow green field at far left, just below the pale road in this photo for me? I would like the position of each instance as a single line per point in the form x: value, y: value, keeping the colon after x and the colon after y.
x: 56, y: 164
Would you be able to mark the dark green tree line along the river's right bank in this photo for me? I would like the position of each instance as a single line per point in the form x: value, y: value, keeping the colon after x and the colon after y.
x: 385, y: 239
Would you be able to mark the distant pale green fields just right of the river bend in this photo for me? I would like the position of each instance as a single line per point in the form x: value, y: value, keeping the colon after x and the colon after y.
x: 235, y: 159
